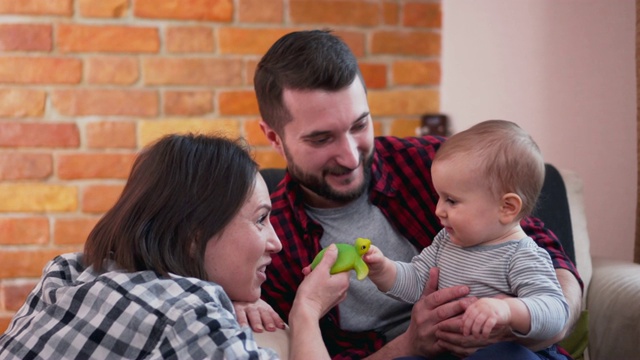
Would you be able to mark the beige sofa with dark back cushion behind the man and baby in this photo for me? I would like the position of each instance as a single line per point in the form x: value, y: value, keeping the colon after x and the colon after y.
x: 609, y: 327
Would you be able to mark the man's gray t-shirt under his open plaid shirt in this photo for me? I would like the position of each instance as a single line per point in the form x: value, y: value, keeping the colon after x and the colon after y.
x: 366, y: 308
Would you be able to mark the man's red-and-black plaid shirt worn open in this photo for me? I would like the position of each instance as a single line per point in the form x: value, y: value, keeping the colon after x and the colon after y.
x: 401, y: 188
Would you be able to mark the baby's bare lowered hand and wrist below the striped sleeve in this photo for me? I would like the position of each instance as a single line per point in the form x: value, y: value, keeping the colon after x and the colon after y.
x: 486, y: 313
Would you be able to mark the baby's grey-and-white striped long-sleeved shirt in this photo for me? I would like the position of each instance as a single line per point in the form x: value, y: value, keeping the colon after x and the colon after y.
x: 518, y: 268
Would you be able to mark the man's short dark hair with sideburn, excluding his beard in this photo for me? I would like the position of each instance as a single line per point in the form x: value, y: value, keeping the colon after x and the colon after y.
x: 302, y: 60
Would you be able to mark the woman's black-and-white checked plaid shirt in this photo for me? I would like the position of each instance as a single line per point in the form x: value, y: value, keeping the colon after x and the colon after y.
x: 75, y: 312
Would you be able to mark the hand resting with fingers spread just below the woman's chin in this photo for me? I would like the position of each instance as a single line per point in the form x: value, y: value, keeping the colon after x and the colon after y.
x: 259, y: 315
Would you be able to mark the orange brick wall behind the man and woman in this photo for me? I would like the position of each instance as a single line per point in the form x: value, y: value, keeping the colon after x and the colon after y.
x: 84, y: 84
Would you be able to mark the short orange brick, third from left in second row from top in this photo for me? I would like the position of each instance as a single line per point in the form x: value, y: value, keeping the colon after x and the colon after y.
x: 189, y: 39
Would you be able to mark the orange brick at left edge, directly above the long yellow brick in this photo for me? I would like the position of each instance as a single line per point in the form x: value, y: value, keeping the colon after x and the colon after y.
x: 25, y: 166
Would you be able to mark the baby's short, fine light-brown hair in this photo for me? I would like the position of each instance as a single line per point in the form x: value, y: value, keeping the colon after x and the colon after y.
x: 507, y: 157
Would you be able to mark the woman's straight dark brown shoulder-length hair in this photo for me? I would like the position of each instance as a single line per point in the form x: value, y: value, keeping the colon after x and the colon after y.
x: 182, y: 191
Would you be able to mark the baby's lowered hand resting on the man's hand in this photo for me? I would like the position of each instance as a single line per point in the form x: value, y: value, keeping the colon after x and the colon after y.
x: 483, y: 315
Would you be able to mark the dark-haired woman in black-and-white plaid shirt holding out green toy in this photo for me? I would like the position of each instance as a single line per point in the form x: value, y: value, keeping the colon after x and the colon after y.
x: 189, y: 234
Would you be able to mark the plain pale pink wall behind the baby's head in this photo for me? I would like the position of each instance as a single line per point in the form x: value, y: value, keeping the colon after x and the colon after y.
x: 565, y: 71
